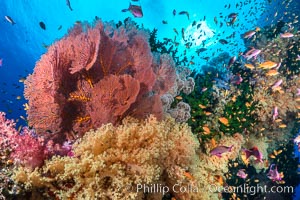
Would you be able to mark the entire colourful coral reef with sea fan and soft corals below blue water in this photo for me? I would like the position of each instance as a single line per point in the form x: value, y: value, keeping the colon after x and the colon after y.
x: 114, y: 116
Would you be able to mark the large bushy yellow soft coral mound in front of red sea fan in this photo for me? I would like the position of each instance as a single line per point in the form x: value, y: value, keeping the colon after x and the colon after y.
x: 110, y: 162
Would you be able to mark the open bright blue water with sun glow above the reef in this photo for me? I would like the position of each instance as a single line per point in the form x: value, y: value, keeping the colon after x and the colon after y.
x: 22, y: 44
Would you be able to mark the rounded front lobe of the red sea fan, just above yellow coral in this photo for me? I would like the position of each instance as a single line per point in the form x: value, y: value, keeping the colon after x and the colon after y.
x: 111, y: 98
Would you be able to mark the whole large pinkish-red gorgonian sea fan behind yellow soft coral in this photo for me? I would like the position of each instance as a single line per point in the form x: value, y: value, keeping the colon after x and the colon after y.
x: 97, y: 75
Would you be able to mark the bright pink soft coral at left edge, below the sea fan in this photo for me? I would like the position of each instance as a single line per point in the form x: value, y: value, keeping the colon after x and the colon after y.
x: 26, y: 148
